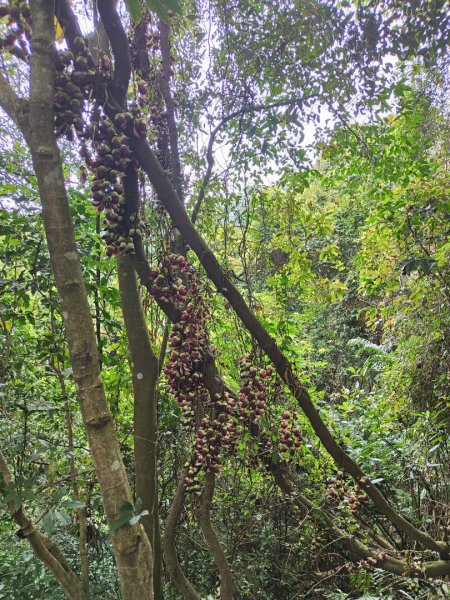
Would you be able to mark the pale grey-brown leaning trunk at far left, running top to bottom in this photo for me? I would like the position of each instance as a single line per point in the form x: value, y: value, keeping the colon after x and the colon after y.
x: 132, y: 550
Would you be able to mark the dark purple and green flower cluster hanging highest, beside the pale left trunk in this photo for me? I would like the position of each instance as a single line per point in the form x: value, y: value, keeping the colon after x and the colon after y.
x: 104, y: 146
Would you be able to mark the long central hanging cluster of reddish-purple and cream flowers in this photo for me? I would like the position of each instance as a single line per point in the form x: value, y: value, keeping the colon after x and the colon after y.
x: 210, y: 418
